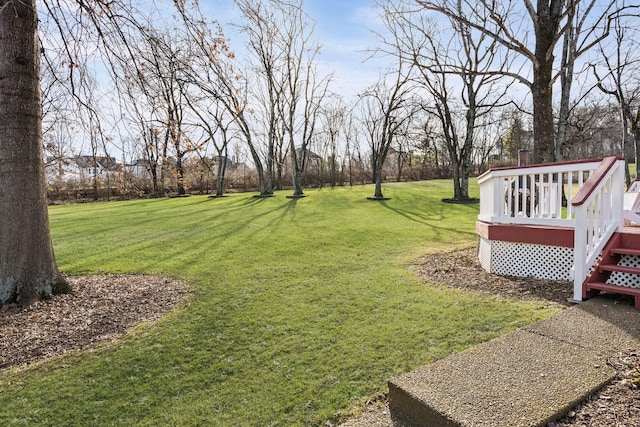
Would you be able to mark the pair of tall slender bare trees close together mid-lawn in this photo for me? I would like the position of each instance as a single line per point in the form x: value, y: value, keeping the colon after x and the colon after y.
x: 285, y: 84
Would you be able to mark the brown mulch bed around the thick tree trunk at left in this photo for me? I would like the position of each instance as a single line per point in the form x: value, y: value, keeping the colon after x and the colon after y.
x: 100, y: 308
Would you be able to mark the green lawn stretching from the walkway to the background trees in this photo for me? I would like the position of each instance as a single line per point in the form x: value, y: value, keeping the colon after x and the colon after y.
x: 301, y: 309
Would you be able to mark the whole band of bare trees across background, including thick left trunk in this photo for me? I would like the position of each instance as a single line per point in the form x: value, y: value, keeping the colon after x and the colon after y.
x: 169, y: 90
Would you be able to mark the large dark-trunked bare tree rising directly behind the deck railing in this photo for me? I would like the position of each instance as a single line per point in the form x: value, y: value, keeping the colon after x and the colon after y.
x: 534, y: 32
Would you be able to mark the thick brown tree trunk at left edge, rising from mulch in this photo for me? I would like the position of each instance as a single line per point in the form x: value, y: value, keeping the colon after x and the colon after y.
x: 28, y: 270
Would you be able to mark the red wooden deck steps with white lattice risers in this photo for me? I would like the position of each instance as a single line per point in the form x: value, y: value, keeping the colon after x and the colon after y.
x: 618, y: 270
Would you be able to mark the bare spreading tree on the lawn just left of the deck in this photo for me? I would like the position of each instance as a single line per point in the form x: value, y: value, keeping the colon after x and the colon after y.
x: 447, y: 58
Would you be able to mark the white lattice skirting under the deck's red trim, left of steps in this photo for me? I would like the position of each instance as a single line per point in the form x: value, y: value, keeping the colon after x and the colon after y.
x: 525, y: 259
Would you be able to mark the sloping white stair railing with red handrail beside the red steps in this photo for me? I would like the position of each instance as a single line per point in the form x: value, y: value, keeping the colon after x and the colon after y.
x: 598, y: 208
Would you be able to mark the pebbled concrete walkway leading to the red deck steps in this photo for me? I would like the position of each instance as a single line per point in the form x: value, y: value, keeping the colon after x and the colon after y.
x: 528, y: 377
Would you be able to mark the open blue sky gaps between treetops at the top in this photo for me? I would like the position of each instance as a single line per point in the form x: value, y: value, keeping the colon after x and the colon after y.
x: 343, y: 27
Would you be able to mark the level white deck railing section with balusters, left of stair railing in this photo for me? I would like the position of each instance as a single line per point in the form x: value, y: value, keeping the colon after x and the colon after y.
x: 532, y: 195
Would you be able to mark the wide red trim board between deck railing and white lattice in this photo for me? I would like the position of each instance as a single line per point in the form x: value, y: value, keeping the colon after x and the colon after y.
x: 535, y: 235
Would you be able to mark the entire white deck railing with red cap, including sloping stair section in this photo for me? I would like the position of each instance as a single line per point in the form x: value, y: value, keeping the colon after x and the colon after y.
x: 533, y: 195
